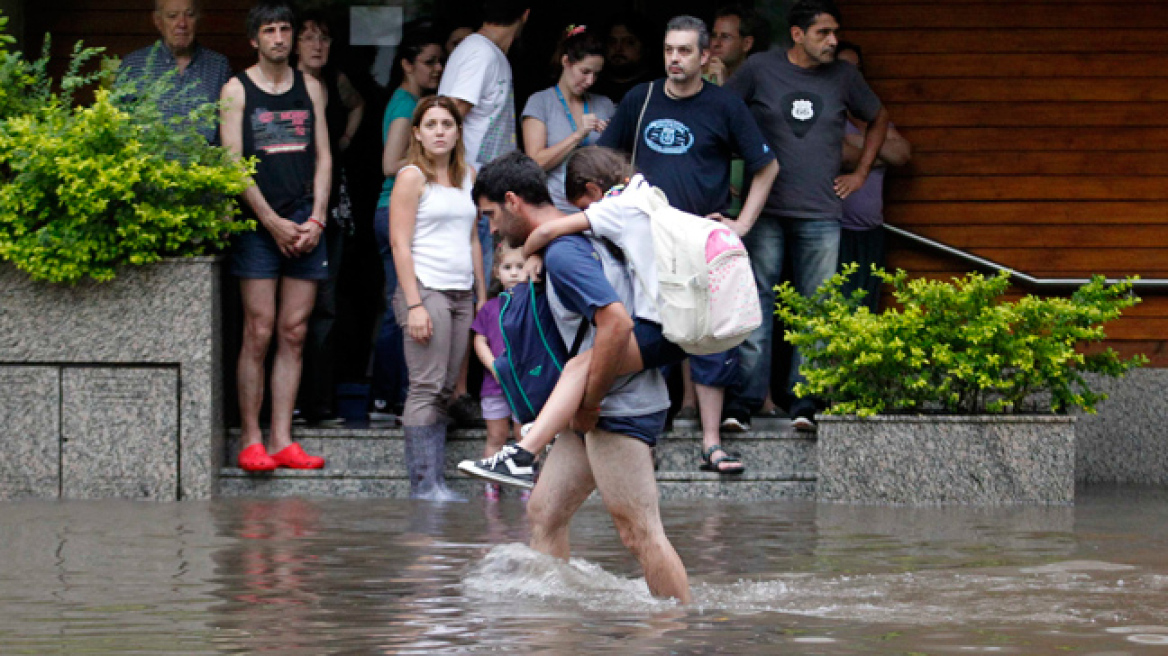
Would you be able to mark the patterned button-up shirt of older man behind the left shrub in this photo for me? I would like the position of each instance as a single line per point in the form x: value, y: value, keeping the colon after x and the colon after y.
x: 200, y: 83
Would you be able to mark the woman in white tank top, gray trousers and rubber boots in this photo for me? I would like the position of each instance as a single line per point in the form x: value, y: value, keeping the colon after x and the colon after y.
x: 440, y: 278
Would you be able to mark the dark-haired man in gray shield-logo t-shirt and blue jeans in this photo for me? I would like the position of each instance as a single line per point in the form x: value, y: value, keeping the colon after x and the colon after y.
x: 801, y: 99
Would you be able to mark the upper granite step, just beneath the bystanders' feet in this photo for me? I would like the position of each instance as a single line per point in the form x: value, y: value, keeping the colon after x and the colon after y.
x: 776, y: 449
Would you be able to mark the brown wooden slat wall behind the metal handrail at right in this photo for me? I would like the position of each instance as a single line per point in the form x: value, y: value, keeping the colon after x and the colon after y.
x: 1041, y: 139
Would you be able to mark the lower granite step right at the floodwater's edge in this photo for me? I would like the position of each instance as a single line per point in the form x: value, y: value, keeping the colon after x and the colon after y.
x: 373, y: 484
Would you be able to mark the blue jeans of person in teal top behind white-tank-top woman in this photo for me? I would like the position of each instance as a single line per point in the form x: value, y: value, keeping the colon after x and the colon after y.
x: 391, y: 380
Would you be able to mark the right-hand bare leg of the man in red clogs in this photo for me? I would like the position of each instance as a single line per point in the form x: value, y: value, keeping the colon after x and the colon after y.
x: 297, y: 298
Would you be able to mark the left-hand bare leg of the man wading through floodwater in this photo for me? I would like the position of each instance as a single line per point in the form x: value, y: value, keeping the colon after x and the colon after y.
x: 565, y: 485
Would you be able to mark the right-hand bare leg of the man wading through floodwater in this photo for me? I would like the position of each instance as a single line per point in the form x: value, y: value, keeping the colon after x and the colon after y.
x: 623, y: 469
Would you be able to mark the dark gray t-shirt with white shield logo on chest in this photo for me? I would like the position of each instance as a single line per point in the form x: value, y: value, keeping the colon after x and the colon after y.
x: 803, y: 114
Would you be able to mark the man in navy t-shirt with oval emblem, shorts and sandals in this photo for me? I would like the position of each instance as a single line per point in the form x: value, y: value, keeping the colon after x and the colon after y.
x: 683, y: 134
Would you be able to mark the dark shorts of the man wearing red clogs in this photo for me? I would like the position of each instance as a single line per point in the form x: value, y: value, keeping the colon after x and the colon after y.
x: 256, y: 256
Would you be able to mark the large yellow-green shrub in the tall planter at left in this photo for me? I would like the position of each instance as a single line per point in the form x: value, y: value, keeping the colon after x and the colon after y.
x: 92, y: 189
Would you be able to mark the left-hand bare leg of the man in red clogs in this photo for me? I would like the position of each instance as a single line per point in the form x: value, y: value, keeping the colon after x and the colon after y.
x: 259, y: 323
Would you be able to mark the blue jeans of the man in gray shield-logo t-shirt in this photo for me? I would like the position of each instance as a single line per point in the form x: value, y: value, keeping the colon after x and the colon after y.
x: 815, y: 249
